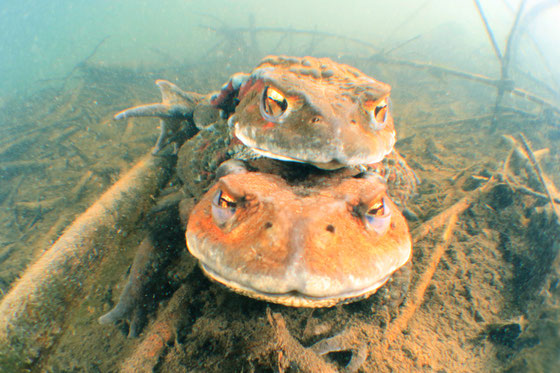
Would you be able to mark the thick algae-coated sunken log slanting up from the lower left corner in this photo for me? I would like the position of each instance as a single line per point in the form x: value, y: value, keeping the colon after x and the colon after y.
x: 33, y: 312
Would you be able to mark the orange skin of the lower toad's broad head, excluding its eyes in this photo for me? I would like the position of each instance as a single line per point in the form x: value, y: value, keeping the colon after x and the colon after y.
x: 306, y: 244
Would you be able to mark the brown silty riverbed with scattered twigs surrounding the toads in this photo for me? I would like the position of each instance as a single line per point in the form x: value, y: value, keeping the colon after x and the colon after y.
x: 491, y: 304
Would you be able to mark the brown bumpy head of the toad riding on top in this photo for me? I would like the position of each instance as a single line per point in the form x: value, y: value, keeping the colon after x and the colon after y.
x: 327, y: 119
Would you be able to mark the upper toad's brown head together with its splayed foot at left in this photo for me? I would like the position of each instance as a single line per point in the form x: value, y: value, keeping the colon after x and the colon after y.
x: 309, y: 110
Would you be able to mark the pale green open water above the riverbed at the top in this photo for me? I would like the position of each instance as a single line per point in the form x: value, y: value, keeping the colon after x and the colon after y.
x: 44, y: 40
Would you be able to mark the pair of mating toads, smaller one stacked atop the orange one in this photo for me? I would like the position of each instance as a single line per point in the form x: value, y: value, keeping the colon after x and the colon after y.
x: 295, y: 215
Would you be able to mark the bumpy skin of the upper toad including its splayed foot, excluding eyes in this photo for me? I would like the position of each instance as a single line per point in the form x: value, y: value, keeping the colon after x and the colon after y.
x: 334, y: 108
